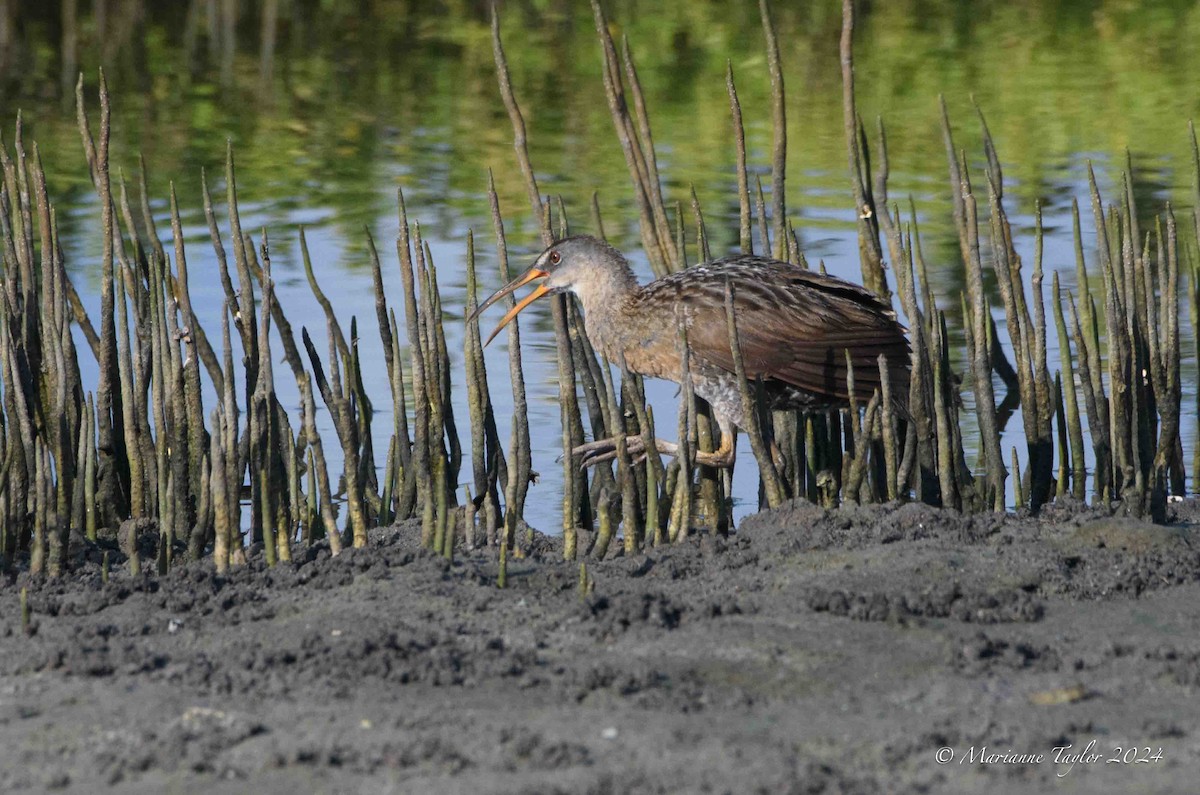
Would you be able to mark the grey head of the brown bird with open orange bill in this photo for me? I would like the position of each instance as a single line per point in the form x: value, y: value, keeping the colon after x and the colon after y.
x: 572, y: 265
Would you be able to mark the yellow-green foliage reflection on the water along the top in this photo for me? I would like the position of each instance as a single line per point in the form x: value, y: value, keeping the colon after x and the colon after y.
x: 357, y: 98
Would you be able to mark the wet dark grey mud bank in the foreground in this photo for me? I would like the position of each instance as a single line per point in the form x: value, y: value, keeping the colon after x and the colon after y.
x: 812, y: 653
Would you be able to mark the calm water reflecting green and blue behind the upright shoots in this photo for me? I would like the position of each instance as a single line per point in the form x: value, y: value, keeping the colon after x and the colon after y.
x: 334, y: 106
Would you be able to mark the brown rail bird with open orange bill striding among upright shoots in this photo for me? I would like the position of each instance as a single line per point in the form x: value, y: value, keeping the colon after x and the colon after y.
x: 795, y: 328
